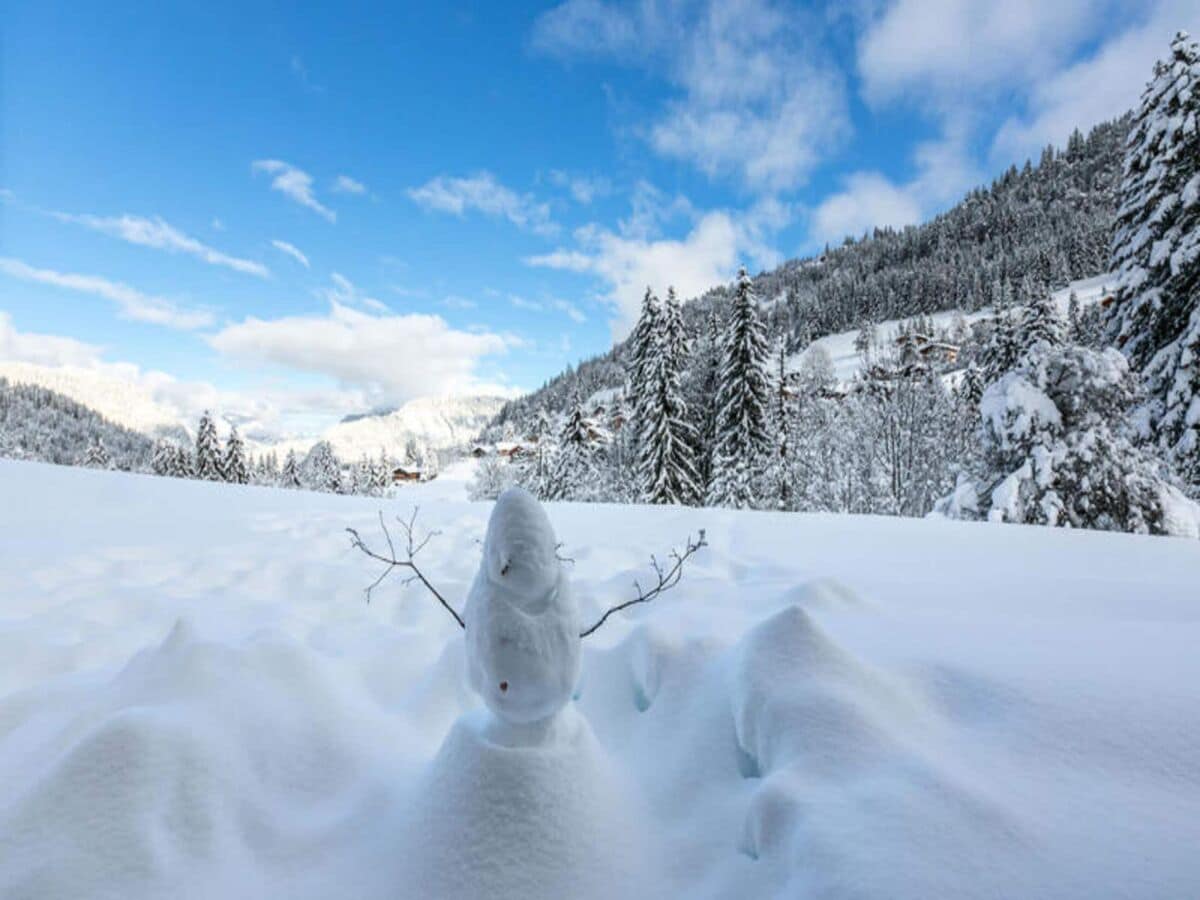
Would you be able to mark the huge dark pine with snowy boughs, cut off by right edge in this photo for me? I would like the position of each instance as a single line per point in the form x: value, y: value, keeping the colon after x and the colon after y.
x: 1156, y: 251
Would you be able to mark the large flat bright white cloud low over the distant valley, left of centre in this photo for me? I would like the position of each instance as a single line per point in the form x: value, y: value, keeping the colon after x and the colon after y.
x: 389, y: 358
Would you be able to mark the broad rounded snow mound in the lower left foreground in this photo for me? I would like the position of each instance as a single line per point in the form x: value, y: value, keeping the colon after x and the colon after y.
x: 195, y: 760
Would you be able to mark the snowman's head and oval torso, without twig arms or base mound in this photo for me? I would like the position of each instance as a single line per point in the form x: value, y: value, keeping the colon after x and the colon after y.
x: 523, y: 625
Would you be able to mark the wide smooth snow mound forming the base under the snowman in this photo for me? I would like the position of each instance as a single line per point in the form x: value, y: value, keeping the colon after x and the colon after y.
x: 525, y: 813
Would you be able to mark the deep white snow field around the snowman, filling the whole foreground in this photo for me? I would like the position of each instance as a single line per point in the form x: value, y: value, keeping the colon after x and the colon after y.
x: 196, y: 701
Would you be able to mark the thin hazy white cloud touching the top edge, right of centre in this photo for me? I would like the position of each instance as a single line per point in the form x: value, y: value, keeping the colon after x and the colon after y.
x: 757, y: 98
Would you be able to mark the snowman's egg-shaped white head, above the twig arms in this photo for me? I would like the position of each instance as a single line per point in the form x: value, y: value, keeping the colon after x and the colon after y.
x: 520, y: 550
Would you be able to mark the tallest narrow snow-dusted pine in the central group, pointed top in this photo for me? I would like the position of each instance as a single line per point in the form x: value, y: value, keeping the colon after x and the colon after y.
x: 743, y: 399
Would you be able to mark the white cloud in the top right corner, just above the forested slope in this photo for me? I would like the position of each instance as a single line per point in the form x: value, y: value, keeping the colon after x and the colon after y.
x: 1102, y: 86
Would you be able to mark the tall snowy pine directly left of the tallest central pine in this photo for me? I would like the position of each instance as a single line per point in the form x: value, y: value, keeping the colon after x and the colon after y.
x: 665, y: 465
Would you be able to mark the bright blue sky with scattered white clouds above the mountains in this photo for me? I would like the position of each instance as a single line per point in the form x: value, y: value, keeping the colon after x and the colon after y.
x: 297, y: 215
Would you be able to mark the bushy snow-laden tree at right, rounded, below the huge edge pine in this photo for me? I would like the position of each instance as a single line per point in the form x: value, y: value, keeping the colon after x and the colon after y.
x: 1057, y: 452
